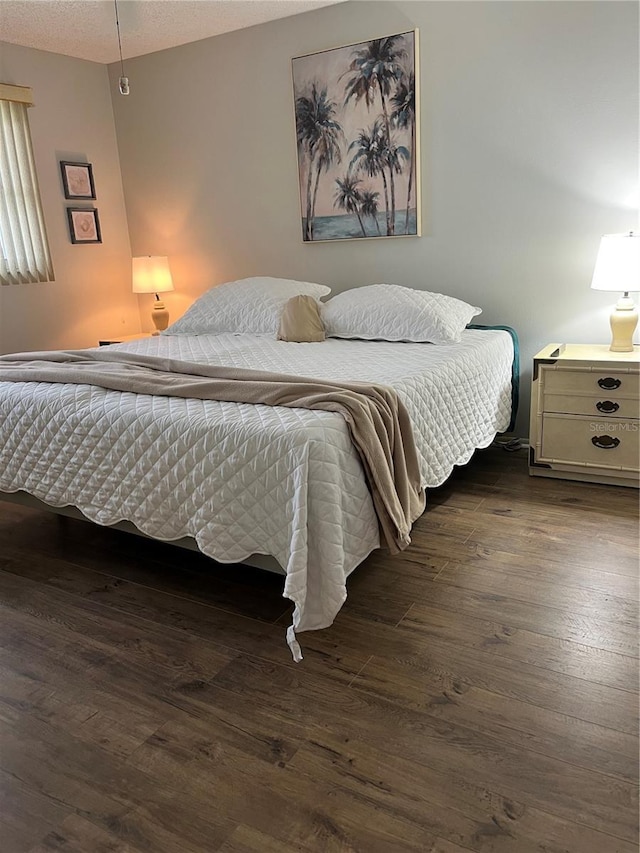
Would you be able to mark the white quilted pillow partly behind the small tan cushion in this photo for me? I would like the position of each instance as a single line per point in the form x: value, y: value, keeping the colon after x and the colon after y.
x: 249, y: 306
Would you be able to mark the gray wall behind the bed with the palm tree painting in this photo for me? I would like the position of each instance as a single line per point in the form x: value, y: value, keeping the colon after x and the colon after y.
x: 529, y: 154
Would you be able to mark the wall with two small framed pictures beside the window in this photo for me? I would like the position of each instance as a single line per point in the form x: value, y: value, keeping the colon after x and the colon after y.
x: 72, y: 120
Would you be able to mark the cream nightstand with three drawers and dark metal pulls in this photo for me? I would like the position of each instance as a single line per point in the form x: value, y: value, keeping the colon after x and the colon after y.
x: 585, y: 407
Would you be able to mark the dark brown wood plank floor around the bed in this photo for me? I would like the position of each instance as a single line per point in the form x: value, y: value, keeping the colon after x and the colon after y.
x: 478, y: 693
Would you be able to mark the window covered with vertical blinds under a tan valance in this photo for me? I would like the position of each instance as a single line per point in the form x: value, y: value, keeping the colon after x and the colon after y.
x: 24, y: 250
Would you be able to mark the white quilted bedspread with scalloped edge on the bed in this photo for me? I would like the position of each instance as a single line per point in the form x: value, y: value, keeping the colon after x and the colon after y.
x: 243, y: 479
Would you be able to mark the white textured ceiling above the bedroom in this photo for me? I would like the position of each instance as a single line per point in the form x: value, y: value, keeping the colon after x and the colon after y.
x: 87, y: 28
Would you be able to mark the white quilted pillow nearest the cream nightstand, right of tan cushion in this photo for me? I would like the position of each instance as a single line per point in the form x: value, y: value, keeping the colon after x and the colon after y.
x: 389, y: 312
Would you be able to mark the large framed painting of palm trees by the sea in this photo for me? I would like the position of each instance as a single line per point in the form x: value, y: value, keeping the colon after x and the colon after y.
x: 356, y: 111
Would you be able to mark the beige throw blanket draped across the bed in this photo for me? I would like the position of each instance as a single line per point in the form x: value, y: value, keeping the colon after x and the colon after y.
x: 378, y: 422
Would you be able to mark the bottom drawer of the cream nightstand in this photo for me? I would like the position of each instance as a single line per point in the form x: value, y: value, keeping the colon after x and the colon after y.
x: 613, y: 444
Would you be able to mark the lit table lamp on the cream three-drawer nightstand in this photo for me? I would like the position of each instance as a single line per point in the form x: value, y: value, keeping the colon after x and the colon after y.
x: 618, y: 268
